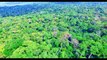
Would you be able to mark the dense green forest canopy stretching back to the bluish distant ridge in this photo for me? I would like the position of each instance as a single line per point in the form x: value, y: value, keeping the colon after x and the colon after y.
x: 74, y: 30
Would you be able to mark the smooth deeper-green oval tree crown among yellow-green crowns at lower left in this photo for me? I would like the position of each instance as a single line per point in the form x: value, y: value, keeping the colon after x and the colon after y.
x: 11, y: 46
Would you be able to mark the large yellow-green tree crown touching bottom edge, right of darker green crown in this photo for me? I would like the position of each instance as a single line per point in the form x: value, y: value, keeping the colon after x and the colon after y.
x: 25, y: 50
